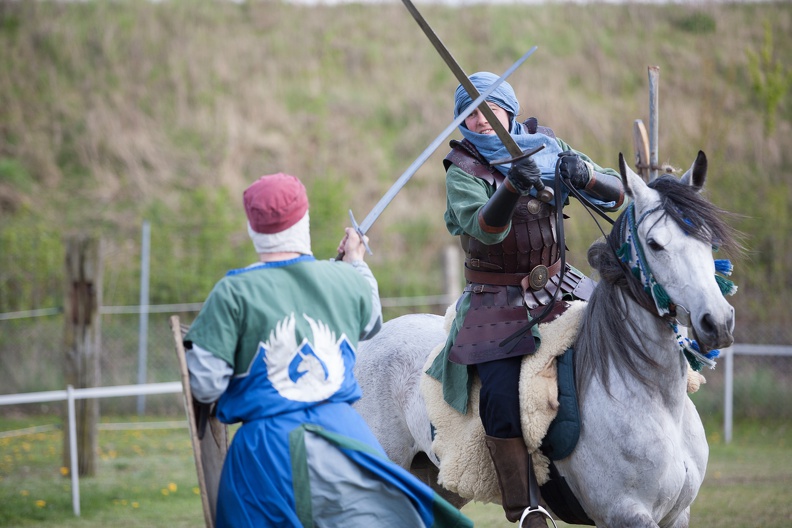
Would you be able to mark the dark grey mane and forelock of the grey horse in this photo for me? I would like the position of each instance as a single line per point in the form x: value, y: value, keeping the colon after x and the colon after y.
x: 608, y: 333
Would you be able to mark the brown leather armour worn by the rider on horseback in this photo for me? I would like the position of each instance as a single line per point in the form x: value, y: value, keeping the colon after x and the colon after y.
x: 508, y: 280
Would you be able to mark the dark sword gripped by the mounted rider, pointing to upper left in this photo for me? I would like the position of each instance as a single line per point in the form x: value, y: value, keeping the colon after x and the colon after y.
x: 543, y: 193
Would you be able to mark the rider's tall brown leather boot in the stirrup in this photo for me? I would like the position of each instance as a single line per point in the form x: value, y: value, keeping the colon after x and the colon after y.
x: 511, y: 460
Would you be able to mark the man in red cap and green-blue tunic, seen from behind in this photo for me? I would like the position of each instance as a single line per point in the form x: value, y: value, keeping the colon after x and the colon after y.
x: 274, y: 347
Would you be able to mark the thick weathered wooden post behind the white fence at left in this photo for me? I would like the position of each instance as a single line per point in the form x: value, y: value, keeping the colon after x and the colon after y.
x: 82, y: 342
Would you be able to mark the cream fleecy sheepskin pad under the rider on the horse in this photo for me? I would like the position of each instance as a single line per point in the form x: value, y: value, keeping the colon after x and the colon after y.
x: 465, y: 464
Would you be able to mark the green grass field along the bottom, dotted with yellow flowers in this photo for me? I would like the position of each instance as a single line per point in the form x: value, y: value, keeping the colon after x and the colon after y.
x: 146, y: 478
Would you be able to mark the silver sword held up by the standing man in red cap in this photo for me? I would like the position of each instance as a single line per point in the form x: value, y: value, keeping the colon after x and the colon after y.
x: 375, y: 213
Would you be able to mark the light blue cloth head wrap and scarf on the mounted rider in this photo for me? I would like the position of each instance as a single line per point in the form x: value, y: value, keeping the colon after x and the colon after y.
x: 489, y: 145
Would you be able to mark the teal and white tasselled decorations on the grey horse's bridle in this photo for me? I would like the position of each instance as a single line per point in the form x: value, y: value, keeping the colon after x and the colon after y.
x: 632, y: 254
